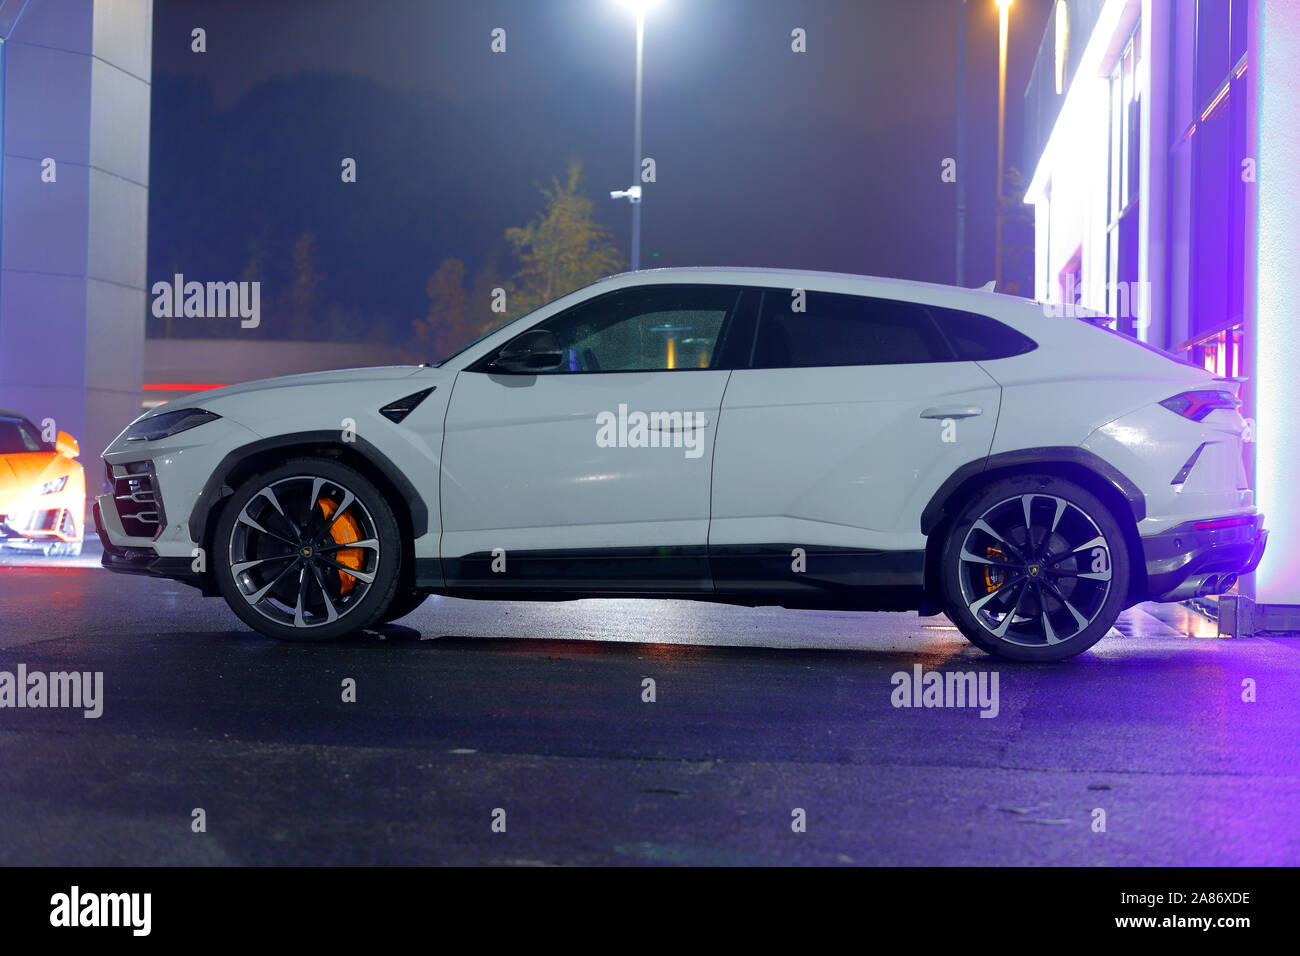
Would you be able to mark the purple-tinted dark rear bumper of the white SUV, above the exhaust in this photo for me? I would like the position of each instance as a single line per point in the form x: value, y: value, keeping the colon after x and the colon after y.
x: 1188, y: 563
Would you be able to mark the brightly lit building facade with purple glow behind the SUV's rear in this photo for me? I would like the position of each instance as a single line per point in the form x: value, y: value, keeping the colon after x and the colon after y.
x: 1164, y: 139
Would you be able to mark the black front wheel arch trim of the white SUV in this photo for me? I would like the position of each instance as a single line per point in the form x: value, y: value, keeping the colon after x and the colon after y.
x: 409, y: 507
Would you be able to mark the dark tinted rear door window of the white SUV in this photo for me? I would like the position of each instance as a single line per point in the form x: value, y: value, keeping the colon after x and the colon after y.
x: 844, y: 331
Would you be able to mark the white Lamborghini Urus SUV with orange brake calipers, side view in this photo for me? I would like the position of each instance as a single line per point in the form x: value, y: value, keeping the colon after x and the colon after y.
x: 744, y: 436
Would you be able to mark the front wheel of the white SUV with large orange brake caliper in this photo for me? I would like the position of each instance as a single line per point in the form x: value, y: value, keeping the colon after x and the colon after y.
x: 280, y: 543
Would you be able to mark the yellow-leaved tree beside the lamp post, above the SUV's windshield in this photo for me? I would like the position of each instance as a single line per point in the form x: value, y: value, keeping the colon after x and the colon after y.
x: 564, y: 249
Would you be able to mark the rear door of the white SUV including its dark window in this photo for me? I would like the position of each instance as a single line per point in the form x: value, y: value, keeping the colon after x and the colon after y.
x: 851, y: 416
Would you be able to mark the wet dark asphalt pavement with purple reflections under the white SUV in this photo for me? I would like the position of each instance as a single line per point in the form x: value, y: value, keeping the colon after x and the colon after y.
x: 470, y: 710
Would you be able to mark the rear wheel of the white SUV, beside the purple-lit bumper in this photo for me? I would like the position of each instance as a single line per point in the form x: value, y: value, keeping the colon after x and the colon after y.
x: 1051, y: 576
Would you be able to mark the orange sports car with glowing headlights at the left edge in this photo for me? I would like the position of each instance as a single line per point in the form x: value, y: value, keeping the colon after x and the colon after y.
x: 42, y: 490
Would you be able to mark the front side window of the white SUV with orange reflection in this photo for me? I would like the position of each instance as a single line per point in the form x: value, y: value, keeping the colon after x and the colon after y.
x: 645, y: 330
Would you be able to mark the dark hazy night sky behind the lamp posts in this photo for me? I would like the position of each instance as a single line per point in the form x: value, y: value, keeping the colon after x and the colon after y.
x: 824, y: 161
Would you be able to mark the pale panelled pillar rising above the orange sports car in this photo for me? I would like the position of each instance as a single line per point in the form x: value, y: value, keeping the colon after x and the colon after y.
x: 76, y: 90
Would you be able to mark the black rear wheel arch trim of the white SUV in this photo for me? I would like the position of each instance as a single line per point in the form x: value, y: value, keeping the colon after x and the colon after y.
x: 1093, y: 473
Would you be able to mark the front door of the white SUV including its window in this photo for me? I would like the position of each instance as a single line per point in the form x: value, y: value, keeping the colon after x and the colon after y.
x: 595, y: 477
